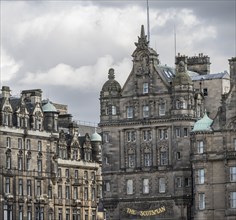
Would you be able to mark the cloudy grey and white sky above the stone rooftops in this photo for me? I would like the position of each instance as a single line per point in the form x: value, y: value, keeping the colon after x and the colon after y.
x: 67, y: 47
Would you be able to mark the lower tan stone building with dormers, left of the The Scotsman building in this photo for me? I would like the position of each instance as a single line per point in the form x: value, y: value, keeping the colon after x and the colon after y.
x: 47, y: 171
